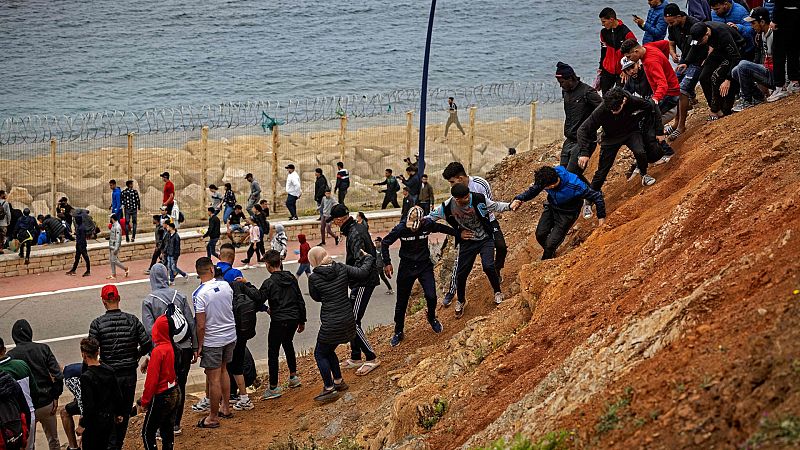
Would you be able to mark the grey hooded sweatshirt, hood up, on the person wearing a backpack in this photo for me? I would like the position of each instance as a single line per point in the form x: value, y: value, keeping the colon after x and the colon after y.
x: 155, y: 304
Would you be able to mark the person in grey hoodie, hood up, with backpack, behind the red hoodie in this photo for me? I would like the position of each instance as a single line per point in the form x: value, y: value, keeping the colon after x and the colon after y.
x: 156, y: 304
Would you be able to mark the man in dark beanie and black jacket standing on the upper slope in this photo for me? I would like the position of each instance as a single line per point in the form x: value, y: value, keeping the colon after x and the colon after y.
x: 579, y: 102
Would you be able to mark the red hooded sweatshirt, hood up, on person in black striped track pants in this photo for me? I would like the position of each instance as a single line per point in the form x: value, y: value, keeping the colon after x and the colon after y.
x: 161, y: 368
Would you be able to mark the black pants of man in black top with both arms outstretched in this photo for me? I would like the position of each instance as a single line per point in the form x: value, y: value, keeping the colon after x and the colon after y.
x: 407, y: 274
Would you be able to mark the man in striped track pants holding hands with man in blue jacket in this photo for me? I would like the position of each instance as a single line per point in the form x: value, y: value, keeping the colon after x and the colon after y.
x: 470, y: 214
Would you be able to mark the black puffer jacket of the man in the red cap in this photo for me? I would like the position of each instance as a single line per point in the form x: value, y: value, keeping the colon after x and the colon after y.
x: 123, y: 340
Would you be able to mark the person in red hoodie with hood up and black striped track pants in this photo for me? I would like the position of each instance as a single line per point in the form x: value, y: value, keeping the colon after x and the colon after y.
x: 161, y: 392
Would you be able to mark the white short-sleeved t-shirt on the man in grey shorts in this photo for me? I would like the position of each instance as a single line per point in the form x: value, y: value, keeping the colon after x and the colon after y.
x: 215, y: 299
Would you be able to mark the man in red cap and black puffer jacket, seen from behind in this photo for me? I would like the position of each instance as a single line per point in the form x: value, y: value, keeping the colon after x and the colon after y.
x: 123, y: 340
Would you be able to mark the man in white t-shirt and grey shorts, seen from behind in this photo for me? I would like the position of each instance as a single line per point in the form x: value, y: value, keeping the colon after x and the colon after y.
x: 216, y: 335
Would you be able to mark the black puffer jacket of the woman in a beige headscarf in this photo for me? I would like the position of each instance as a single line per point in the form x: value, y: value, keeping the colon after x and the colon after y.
x: 328, y: 285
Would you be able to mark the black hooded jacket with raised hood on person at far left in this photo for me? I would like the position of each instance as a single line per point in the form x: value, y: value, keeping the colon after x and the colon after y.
x: 40, y: 359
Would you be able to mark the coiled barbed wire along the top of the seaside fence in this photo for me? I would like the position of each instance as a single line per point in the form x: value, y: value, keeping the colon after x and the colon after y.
x: 87, y: 126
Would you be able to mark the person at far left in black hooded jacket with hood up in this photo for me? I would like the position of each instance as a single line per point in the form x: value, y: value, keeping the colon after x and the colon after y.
x: 47, y: 374
